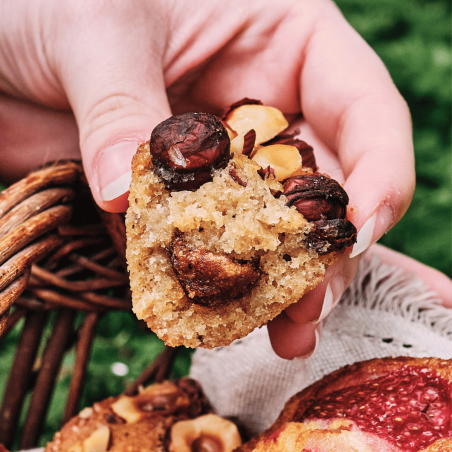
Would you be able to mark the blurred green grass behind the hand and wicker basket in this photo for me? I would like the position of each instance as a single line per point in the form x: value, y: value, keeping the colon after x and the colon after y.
x: 414, y: 40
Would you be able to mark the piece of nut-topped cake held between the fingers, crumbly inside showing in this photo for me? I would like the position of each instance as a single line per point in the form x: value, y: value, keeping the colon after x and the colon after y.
x: 228, y: 224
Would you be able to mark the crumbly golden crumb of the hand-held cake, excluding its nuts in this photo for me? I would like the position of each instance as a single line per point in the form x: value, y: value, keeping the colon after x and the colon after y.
x: 221, y: 216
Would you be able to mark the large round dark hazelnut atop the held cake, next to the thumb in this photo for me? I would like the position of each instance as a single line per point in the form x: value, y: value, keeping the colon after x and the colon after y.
x: 186, y: 149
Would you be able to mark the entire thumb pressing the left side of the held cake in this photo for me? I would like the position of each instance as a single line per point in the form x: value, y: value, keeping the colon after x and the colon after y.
x: 117, y: 91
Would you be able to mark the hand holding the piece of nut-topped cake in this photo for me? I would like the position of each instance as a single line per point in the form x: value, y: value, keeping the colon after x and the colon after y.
x: 121, y: 68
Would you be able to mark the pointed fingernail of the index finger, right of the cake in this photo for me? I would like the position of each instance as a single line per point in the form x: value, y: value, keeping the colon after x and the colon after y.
x: 379, y: 223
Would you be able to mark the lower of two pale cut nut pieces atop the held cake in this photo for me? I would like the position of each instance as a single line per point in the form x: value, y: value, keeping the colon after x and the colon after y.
x: 284, y: 159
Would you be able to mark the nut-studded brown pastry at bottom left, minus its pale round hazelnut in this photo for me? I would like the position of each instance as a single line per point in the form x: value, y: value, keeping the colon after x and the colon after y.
x: 134, y: 424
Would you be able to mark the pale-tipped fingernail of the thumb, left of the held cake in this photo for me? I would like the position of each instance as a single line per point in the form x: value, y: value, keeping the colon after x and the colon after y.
x: 114, y: 169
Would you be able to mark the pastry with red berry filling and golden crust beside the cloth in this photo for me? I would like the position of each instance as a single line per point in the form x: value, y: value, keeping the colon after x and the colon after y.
x: 381, y: 405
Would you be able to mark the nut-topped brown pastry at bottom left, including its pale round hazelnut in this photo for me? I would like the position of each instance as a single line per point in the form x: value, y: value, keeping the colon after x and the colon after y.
x: 164, y: 417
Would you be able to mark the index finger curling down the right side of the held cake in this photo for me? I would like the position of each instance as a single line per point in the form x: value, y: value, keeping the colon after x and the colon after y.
x: 349, y: 99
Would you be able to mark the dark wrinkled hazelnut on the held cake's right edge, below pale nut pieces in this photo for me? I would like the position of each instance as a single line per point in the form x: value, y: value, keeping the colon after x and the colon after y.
x: 316, y: 196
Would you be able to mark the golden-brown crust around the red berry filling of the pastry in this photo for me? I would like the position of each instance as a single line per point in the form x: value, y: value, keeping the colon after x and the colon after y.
x: 304, y: 433
